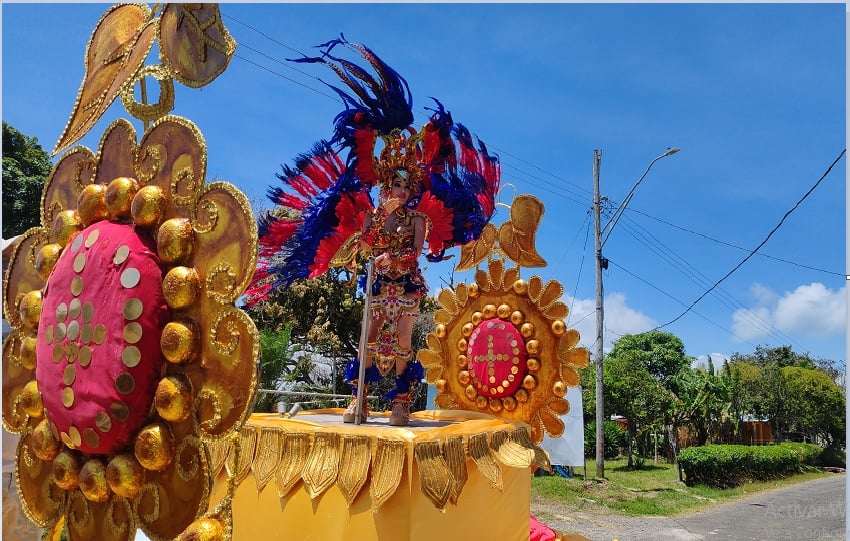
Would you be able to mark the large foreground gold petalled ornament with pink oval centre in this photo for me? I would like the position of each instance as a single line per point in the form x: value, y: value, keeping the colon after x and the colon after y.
x: 128, y: 355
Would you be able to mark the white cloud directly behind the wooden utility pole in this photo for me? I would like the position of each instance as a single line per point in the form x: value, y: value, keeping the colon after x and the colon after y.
x: 620, y: 319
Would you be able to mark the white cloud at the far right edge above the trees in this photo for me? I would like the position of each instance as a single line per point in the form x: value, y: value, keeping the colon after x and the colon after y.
x: 810, y: 310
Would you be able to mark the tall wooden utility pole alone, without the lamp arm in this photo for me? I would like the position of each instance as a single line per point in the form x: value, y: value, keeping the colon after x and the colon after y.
x: 600, y: 264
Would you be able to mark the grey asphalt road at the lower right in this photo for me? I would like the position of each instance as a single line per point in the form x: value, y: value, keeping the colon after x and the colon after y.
x: 814, y: 510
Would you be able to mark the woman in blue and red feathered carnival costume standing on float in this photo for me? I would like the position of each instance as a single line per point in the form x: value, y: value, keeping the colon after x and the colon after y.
x: 437, y: 190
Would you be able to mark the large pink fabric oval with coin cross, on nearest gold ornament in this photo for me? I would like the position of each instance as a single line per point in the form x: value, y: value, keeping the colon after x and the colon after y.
x: 98, y: 358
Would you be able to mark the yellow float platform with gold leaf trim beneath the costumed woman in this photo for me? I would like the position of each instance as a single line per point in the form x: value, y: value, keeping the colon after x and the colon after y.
x: 480, y: 511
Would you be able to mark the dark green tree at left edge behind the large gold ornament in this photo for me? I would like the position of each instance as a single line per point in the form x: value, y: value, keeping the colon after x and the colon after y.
x: 25, y: 169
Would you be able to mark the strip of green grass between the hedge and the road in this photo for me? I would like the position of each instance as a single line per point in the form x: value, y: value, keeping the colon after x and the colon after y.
x: 653, y: 490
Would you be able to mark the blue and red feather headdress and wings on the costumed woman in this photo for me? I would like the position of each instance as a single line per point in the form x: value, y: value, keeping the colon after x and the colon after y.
x: 325, y: 199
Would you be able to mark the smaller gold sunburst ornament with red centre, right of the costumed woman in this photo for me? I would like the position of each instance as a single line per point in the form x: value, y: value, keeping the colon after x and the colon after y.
x: 501, y: 344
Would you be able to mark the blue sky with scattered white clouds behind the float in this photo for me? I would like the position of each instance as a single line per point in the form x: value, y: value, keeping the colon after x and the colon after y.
x: 753, y: 94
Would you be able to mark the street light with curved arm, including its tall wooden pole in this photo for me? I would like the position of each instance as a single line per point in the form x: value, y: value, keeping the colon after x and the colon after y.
x: 602, y: 263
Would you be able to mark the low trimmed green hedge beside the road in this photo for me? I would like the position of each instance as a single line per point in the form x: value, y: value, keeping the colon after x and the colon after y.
x: 726, y: 466
